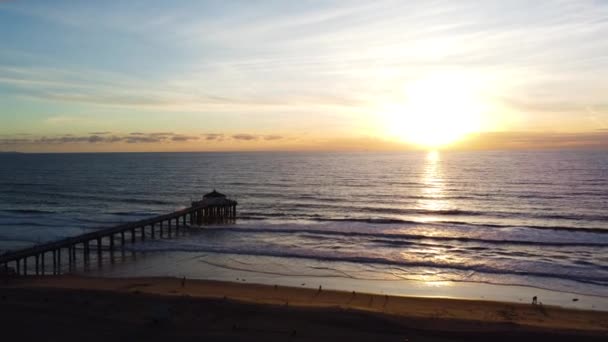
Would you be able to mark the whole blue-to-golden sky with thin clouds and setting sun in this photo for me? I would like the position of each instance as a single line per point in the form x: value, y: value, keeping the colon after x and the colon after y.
x: 302, y: 75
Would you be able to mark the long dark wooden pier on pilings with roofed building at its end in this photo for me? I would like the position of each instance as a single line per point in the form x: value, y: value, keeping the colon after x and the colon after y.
x: 34, y: 260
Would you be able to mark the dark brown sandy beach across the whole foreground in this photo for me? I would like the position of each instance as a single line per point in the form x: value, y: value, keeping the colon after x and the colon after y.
x: 73, y: 307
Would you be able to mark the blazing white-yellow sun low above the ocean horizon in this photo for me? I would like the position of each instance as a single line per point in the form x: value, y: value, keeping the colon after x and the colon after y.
x: 436, y: 111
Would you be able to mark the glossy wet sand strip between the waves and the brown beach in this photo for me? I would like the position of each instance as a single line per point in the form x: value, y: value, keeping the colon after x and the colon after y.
x: 211, y: 266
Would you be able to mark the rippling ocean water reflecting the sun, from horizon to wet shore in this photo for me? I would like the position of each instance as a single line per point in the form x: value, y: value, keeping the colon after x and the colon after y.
x: 537, y: 219
